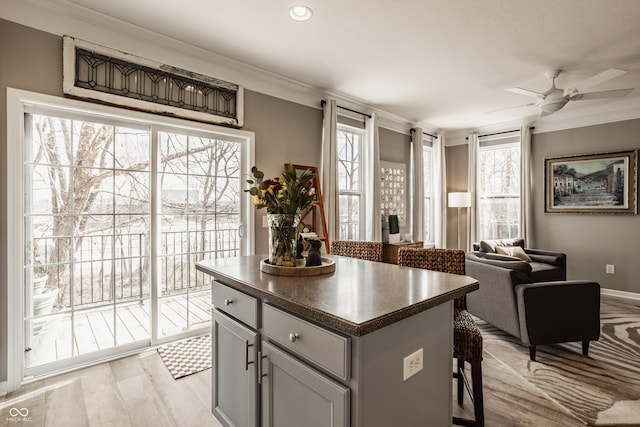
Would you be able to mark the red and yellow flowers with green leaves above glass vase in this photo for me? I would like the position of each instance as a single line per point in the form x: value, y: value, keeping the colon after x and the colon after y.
x: 287, y: 194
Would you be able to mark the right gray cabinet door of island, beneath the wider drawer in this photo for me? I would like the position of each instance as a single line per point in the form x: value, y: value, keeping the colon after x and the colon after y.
x: 294, y: 394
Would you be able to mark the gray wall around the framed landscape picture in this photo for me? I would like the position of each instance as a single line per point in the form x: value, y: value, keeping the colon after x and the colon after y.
x: 590, y: 241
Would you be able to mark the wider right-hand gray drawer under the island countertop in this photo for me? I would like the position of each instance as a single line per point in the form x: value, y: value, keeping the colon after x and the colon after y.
x: 326, y: 349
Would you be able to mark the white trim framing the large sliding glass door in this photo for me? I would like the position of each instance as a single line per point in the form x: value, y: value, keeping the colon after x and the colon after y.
x: 17, y: 100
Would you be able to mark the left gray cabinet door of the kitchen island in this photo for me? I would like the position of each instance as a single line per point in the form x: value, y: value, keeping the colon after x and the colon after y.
x: 234, y: 380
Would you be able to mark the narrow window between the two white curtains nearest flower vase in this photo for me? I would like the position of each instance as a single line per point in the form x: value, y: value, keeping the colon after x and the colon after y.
x: 350, y: 182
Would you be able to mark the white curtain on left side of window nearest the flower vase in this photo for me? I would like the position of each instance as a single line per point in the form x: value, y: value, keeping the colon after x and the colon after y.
x: 329, y: 168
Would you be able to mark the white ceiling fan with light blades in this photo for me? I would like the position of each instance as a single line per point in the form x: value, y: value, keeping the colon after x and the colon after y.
x: 553, y: 99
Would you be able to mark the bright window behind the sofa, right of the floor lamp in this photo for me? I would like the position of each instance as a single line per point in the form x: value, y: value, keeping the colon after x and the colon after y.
x: 499, y: 189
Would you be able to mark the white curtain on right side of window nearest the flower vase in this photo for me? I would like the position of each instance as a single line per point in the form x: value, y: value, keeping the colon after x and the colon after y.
x: 371, y: 187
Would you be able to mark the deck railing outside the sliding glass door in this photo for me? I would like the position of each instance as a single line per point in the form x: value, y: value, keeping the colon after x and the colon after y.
x: 108, y: 267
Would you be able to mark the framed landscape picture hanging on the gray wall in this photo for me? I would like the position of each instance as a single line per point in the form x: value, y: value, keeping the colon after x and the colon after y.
x: 592, y: 183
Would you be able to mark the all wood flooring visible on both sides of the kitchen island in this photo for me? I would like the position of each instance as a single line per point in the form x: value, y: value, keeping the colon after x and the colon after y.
x: 139, y: 391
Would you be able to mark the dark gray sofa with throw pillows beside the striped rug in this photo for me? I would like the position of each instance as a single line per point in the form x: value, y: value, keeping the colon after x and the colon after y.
x: 532, y: 300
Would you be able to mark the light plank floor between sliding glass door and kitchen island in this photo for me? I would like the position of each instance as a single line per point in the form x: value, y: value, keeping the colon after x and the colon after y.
x: 134, y: 391
